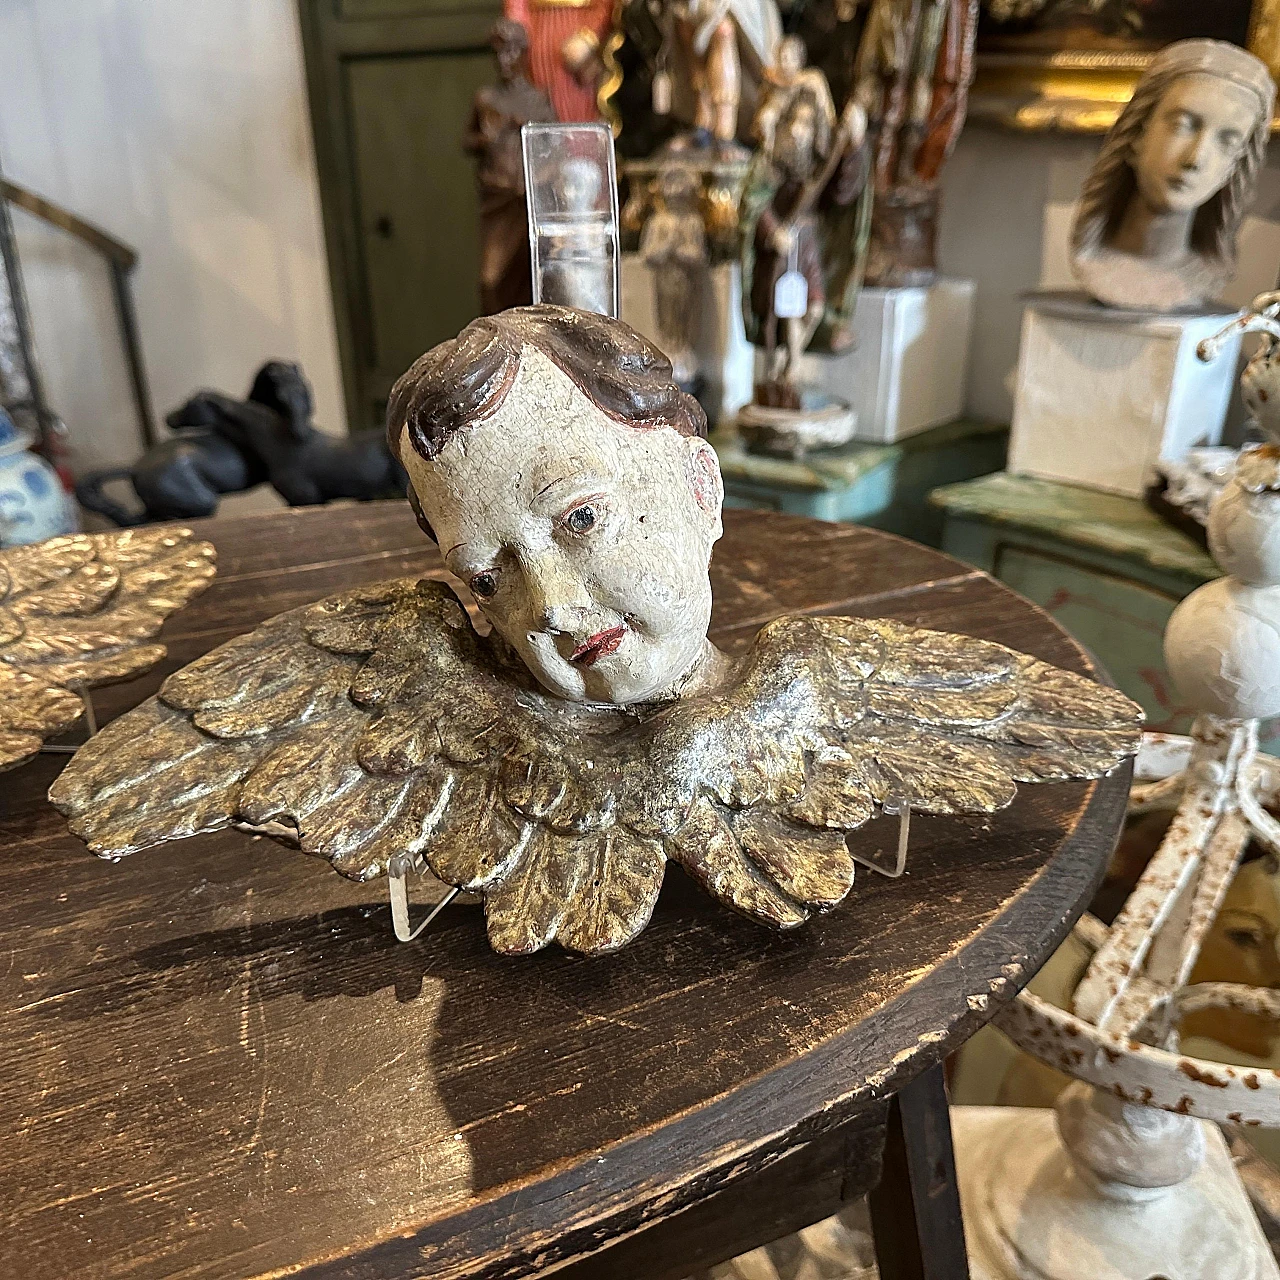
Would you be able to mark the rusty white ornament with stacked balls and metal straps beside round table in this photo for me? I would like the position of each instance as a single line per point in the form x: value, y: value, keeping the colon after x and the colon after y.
x: 1135, y: 1181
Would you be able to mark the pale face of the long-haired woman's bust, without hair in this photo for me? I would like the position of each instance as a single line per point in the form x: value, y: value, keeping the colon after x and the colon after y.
x: 1192, y: 143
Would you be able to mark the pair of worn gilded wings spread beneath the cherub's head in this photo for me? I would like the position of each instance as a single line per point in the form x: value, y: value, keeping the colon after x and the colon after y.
x: 380, y: 725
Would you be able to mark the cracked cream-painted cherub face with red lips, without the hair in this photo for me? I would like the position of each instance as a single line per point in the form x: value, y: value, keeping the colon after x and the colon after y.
x: 586, y: 542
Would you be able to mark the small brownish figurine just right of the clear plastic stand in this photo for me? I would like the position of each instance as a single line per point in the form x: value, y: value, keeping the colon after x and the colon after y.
x: 674, y: 246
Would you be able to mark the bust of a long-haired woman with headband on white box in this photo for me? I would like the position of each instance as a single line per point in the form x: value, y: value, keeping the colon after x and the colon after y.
x: 1162, y: 208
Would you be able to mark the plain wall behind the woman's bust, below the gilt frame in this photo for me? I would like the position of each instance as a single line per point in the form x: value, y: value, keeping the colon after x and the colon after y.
x: 1007, y: 220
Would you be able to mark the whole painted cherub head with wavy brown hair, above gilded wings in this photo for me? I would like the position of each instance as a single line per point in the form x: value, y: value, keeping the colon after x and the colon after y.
x: 566, y: 481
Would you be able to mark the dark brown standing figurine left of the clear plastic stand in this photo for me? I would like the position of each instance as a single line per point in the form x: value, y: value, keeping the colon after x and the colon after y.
x: 493, y: 140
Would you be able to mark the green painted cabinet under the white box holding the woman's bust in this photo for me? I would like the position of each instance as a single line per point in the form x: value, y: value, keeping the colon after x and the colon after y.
x: 1105, y: 566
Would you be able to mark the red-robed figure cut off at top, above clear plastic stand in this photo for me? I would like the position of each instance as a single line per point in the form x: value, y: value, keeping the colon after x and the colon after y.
x: 565, y: 47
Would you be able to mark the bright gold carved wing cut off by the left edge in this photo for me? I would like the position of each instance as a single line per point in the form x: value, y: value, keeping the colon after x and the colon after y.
x: 81, y: 611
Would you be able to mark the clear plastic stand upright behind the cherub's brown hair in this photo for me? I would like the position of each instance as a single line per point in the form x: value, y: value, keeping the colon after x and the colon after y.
x: 573, y: 195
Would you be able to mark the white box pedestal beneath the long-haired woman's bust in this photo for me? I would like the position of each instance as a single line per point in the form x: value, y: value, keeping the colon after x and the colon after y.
x: 1104, y: 395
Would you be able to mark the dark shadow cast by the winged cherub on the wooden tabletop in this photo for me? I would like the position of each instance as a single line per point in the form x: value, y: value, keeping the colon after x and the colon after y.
x: 540, y: 1059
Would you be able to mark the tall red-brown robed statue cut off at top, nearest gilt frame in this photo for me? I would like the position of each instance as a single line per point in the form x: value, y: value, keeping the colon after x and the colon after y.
x: 912, y: 76
